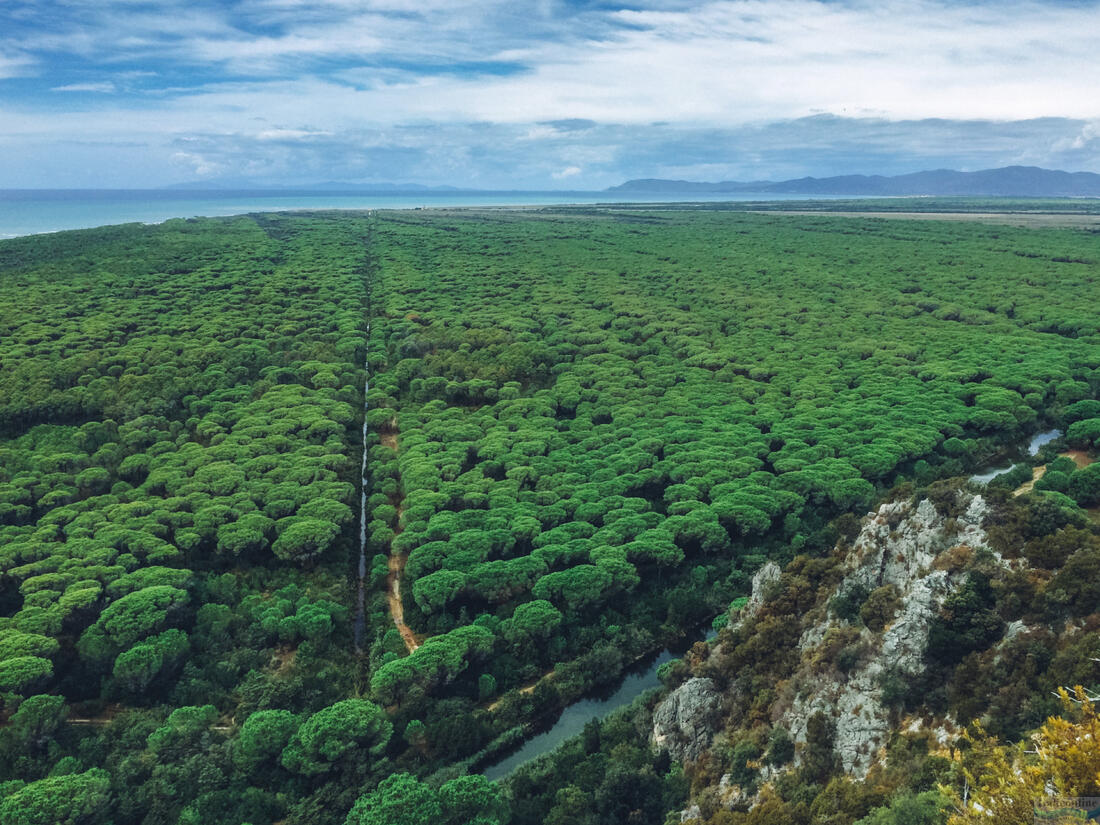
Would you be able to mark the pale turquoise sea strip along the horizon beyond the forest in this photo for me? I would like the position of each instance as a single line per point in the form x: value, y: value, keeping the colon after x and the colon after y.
x: 32, y: 212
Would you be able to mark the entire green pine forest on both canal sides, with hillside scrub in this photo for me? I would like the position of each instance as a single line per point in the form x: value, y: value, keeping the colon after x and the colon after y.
x: 587, y: 432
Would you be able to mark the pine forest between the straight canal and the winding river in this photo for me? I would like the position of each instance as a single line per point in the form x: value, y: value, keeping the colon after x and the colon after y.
x: 609, y: 425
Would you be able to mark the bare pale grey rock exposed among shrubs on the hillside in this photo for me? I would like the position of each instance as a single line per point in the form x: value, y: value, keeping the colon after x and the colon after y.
x: 907, y: 559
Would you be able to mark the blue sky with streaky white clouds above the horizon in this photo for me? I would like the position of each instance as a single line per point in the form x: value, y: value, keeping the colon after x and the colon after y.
x: 538, y: 94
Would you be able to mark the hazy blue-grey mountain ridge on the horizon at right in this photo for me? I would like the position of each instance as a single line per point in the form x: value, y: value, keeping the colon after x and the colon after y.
x: 1019, y: 182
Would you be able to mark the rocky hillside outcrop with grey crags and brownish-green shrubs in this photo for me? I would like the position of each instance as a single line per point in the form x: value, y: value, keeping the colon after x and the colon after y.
x: 829, y: 661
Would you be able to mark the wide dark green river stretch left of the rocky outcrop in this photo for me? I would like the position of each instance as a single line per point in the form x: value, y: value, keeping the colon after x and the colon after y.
x: 637, y: 680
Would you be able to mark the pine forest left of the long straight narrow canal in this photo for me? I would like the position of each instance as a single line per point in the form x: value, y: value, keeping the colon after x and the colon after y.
x: 180, y: 408
